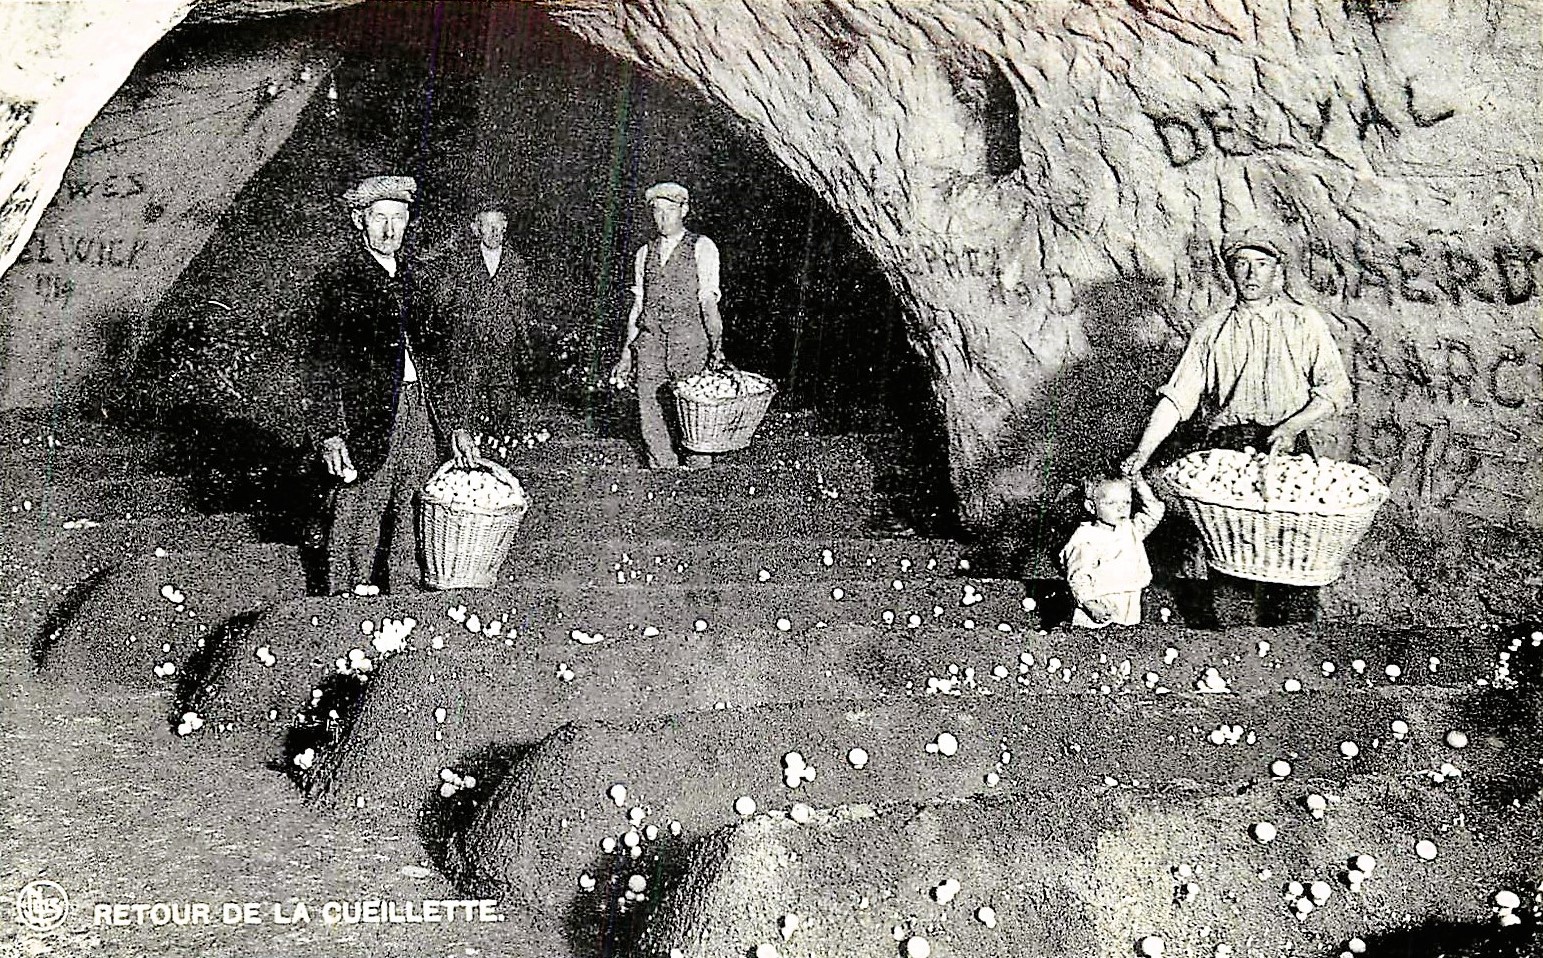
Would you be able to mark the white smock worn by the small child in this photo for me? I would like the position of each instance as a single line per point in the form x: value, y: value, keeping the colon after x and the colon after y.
x: 1110, y: 564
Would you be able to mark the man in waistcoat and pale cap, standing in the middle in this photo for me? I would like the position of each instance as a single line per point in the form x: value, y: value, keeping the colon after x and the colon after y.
x: 674, y: 329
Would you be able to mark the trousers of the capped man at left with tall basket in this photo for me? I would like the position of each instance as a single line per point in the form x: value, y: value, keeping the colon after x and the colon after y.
x: 374, y: 538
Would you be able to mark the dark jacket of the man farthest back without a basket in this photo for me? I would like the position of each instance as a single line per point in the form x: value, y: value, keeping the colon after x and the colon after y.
x: 493, y: 312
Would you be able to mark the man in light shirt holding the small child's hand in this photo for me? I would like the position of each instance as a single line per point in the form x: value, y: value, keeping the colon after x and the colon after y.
x: 1260, y: 373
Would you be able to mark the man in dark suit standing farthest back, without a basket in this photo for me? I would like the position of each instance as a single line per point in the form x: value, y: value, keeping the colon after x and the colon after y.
x: 487, y: 286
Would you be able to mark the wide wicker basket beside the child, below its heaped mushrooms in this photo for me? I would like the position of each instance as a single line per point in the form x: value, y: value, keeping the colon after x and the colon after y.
x: 1278, y: 542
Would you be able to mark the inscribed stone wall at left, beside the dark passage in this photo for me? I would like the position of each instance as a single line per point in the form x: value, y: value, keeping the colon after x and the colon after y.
x: 144, y: 191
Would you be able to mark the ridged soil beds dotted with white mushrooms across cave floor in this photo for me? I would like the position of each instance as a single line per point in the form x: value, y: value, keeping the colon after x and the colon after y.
x: 786, y: 737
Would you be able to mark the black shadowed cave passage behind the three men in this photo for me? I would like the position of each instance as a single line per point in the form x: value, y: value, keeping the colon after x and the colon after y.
x: 476, y: 100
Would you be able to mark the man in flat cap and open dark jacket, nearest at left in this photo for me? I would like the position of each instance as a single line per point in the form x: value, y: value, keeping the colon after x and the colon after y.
x: 387, y: 393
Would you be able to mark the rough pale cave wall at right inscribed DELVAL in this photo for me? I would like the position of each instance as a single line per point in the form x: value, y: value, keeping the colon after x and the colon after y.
x: 1047, y: 186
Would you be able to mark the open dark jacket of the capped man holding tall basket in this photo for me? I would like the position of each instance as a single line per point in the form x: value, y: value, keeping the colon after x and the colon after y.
x: 360, y: 315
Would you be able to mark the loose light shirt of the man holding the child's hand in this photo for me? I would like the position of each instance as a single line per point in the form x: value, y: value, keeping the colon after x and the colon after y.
x: 1258, y: 363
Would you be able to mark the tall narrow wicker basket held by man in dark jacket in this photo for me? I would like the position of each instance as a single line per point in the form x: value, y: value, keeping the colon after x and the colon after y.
x: 464, y: 547
